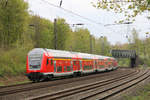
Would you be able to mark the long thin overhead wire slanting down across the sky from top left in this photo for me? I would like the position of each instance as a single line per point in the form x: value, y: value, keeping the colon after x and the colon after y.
x: 69, y: 11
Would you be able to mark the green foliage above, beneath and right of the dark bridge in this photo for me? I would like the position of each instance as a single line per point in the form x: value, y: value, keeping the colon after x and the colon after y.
x: 142, y: 48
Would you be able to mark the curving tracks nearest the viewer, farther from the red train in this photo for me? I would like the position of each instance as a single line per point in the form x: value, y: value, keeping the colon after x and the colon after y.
x: 99, y: 90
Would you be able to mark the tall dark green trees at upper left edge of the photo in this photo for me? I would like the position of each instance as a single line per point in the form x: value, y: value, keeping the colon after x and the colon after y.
x: 13, y: 21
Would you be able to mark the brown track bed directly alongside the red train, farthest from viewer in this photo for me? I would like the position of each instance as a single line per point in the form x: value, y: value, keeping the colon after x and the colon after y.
x: 22, y: 88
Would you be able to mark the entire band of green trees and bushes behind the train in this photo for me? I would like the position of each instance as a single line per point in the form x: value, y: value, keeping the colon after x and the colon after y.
x: 20, y: 31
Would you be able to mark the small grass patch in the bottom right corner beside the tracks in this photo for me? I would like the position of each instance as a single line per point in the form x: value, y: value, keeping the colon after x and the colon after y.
x: 142, y: 95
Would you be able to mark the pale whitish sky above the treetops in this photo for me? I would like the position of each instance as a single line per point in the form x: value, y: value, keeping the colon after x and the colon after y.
x: 100, y: 18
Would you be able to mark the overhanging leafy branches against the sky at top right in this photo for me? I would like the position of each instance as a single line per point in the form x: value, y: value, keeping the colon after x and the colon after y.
x: 125, y: 6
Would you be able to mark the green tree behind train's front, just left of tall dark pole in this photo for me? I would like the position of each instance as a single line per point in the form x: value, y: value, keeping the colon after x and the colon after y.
x: 42, y: 32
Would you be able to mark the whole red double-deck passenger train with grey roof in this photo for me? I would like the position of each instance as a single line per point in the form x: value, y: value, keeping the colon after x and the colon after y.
x: 43, y: 64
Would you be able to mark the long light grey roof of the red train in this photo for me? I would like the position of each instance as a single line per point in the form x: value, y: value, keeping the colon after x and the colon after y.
x: 67, y: 54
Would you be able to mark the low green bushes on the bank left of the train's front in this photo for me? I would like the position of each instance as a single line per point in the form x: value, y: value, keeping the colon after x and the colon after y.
x: 13, y: 61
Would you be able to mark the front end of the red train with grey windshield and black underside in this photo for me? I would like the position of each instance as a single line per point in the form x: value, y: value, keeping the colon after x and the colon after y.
x: 34, y: 65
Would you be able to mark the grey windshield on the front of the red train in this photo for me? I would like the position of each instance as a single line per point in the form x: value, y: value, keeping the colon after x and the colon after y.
x: 35, y: 61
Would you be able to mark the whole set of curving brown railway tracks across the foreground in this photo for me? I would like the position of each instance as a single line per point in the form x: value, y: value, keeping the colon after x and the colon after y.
x: 110, y: 84
